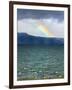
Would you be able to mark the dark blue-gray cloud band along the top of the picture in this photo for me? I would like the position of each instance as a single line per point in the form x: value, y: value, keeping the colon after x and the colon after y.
x: 39, y: 14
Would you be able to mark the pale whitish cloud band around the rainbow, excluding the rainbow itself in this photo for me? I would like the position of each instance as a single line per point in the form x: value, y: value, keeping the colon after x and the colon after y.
x: 29, y: 26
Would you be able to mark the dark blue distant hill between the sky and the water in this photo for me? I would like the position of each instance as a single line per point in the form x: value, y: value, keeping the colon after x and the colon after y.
x: 25, y: 39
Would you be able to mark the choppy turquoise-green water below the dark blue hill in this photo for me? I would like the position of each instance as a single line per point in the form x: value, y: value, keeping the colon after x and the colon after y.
x: 40, y: 62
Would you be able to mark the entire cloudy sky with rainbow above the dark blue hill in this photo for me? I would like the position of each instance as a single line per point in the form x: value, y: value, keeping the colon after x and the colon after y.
x: 43, y: 23
